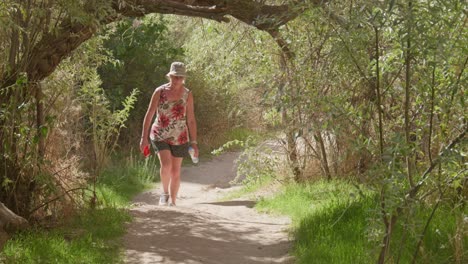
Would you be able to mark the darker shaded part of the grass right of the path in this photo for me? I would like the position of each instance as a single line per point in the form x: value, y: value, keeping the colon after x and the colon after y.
x: 336, y: 234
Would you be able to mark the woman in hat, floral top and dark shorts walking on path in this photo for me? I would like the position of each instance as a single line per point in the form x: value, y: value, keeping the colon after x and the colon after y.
x: 173, y: 130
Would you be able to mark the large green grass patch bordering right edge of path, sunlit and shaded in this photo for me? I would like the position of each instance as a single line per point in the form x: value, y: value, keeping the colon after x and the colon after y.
x: 329, y: 221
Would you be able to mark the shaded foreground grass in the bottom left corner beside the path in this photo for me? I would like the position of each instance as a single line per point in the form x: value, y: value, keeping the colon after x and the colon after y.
x: 91, y: 238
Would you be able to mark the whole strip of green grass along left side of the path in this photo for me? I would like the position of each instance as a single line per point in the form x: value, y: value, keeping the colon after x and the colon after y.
x: 92, y: 236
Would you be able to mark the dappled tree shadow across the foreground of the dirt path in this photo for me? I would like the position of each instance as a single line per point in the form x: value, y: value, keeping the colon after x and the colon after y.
x: 174, y: 236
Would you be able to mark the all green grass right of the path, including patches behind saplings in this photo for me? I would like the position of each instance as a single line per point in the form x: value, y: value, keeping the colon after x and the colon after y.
x: 332, y: 223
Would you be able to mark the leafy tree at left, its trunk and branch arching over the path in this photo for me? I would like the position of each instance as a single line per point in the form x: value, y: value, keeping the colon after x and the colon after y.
x: 37, y: 35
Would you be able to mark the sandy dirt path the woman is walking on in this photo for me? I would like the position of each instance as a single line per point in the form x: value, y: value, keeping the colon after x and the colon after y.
x: 201, y: 229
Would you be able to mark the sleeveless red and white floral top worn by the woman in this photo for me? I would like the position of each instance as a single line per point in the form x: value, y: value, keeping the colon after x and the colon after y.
x: 170, y: 125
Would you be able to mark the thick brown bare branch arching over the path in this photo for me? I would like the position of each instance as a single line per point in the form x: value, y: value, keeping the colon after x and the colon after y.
x: 48, y: 52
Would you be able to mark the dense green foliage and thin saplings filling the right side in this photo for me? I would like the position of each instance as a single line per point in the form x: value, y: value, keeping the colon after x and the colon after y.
x: 372, y: 90
